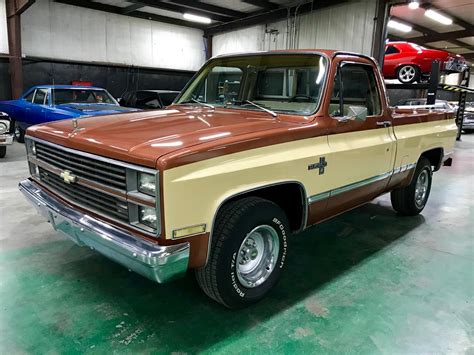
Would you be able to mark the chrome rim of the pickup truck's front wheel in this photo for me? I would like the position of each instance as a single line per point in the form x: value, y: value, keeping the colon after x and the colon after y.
x: 257, y: 256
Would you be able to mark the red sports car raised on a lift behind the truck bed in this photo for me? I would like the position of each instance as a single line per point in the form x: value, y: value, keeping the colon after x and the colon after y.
x: 409, y: 62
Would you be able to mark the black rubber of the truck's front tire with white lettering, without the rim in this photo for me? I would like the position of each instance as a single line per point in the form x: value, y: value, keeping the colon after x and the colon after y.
x: 220, y: 278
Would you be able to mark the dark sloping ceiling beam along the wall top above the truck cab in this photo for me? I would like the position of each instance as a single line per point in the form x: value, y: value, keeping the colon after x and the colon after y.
x: 271, y: 16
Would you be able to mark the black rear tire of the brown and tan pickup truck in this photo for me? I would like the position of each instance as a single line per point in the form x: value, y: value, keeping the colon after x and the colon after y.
x: 408, y: 201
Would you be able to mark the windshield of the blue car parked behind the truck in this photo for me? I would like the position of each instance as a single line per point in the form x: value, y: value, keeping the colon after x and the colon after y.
x: 81, y: 96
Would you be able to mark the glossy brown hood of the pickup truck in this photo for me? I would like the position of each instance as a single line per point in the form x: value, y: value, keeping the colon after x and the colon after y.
x: 143, y: 137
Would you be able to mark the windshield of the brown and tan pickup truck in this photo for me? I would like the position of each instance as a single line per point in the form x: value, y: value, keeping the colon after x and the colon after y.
x: 278, y: 82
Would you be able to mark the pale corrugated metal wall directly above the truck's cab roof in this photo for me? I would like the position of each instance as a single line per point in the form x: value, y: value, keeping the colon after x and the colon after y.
x: 346, y: 27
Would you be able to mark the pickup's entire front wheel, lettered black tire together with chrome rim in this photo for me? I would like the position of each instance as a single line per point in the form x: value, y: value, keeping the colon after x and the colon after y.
x: 247, y: 254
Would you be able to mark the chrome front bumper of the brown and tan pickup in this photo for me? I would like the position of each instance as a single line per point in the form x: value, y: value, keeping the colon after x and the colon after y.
x: 156, y: 262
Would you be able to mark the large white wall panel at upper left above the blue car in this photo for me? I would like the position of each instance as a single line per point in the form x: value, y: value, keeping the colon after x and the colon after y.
x: 59, y: 31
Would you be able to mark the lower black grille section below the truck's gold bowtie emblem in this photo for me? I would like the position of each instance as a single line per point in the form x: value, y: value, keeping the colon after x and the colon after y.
x: 105, y: 204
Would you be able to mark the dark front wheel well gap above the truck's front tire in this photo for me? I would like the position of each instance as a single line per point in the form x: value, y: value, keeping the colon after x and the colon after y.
x: 290, y: 197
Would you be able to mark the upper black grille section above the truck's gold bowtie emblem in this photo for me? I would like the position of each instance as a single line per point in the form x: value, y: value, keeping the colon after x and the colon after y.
x: 88, y: 168
